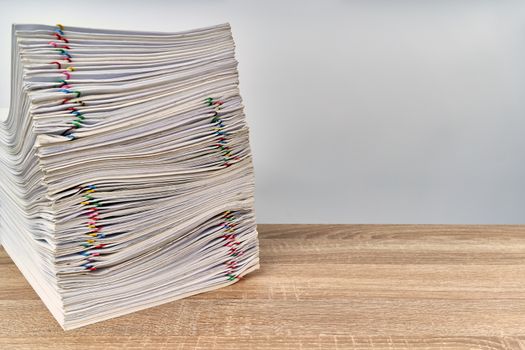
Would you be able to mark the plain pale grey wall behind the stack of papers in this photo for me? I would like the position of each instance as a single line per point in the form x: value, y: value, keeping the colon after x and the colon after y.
x: 394, y: 111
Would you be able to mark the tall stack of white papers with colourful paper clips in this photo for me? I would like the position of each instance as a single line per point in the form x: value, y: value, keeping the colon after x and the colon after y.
x: 126, y: 176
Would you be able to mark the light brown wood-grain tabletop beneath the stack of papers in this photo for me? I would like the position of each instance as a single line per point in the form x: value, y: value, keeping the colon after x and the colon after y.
x: 321, y: 287
